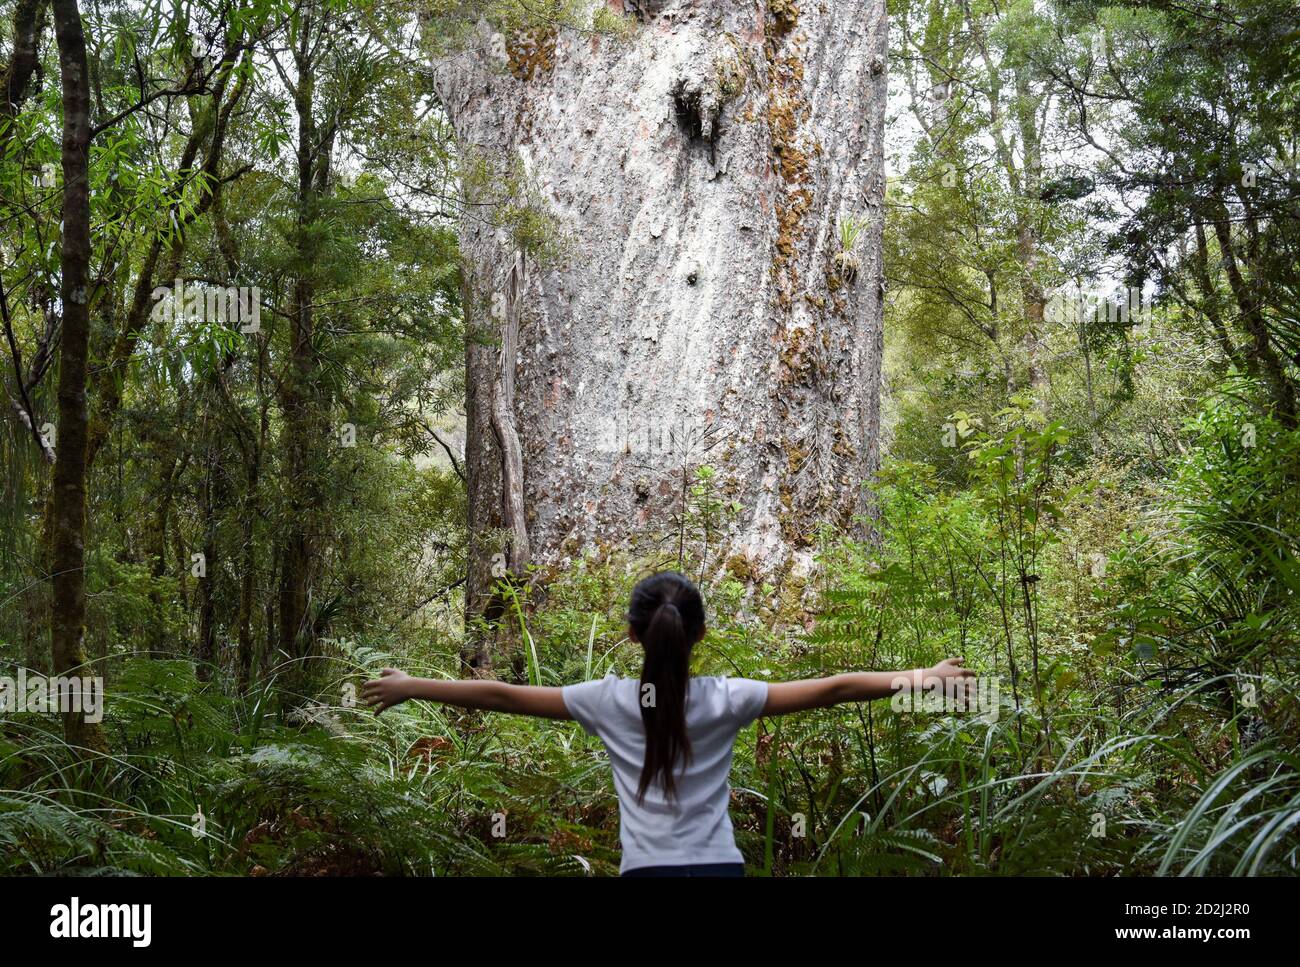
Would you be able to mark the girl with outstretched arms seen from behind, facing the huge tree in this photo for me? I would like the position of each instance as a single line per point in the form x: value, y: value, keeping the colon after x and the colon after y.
x: 669, y: 735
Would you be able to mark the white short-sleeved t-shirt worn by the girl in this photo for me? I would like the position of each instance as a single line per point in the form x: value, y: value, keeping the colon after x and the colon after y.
x: 695, y: 827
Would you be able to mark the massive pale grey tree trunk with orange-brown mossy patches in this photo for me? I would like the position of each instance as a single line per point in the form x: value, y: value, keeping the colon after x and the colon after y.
x: 699, y: 176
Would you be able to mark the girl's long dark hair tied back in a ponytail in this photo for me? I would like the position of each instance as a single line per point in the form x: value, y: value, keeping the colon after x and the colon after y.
x: 669, y: 617
